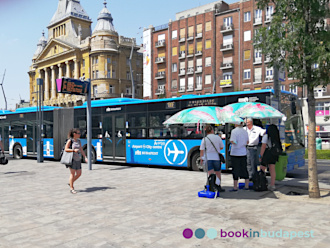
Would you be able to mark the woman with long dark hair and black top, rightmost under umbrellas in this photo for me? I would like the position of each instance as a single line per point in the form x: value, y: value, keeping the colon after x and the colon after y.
x: 270, y: 150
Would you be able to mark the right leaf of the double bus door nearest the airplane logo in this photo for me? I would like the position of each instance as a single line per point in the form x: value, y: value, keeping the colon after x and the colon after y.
x: 120, y: 138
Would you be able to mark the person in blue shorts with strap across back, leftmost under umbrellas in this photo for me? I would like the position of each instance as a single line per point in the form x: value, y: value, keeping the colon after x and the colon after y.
x: 211, y: 145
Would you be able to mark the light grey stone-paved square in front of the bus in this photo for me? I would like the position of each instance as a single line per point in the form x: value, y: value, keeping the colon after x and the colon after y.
x: 123, y: 206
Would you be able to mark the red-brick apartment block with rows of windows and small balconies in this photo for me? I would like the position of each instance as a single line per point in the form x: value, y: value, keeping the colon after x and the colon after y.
x: 209, y: 49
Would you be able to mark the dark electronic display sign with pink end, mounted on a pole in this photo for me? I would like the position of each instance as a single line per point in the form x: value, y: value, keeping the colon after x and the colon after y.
x: 72, y: 86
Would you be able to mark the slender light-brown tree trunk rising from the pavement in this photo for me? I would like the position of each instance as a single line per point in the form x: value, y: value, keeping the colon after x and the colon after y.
x: 313, y: 183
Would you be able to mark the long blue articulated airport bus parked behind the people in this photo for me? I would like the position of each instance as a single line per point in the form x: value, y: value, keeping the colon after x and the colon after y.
x: 130, y: 131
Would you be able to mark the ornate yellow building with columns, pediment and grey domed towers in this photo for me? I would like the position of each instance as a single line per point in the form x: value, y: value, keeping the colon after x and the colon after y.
x: 73, y: 50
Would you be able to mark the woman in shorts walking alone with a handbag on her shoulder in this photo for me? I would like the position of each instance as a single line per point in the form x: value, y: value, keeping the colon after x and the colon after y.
x: 75, y: 167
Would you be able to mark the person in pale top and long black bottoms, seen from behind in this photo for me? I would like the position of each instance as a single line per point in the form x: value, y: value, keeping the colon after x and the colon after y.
x: 239, y: 139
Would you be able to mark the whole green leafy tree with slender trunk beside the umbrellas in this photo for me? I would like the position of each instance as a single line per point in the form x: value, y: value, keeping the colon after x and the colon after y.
x: 298, y: 39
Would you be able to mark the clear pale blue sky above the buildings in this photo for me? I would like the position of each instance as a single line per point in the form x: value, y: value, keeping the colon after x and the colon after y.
x: 22, y: 23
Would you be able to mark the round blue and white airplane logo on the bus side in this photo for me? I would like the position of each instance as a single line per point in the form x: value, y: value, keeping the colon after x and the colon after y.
x: 175, y: 148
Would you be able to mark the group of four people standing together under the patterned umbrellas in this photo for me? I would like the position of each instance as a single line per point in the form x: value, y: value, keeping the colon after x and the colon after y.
x: 244, y: 152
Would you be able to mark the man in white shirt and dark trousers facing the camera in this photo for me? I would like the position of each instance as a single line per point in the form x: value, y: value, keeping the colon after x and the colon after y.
x: 254, y: 133
